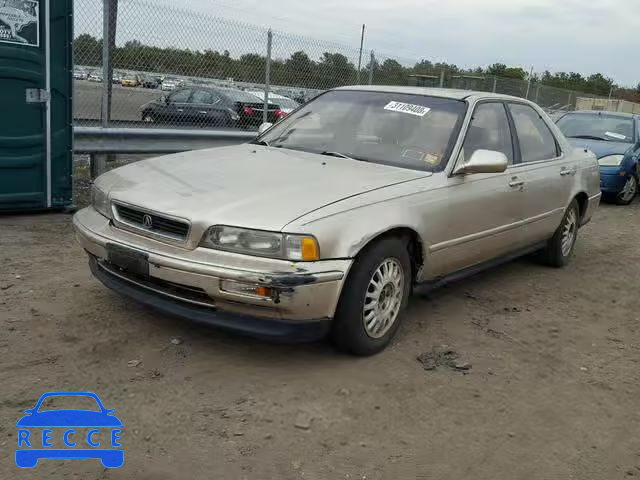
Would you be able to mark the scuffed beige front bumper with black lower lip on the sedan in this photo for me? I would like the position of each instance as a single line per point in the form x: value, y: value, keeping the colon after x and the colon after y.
x: 187, y: 282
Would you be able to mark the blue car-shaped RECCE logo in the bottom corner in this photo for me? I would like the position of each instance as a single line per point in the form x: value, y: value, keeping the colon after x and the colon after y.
x: 66, y: 422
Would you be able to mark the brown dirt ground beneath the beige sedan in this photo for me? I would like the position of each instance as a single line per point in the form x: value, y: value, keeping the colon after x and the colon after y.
x: 553, y: 390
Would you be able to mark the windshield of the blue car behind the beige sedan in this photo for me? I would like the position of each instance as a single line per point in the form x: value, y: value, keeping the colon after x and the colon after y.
x: 597, y: 126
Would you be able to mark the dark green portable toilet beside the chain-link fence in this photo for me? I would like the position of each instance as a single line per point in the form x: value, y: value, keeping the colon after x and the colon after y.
x: 36, y: 134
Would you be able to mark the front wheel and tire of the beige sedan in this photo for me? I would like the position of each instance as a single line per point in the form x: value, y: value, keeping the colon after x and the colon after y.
x: 350, y: 332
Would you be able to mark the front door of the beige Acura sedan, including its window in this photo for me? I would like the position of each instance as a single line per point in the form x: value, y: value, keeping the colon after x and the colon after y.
x: 483, y: 216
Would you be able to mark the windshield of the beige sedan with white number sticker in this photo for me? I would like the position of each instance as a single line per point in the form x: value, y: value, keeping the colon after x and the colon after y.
x: 398, y: 129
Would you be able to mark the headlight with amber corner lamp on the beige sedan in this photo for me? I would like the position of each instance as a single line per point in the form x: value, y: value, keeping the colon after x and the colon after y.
x: 263, y: 244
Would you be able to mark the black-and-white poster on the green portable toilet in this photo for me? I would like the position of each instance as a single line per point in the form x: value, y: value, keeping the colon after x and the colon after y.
x: 19, y: 22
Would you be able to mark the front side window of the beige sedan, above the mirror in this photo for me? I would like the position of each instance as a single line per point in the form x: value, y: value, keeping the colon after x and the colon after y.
x: 489, y: 130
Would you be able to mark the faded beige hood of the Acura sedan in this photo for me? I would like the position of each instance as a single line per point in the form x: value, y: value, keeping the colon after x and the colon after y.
x: 246, y: 185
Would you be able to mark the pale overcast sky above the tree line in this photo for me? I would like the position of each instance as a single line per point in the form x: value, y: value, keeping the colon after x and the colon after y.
x: 585, y: 36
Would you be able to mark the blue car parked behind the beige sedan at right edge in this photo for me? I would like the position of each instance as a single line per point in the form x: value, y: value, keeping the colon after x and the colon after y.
x: 615, y: 139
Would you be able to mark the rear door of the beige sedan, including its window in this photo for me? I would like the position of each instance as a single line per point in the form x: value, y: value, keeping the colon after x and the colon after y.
x: 547, y: 173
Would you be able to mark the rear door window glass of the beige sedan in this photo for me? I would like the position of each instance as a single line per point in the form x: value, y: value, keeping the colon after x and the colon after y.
x: 536, y: 140
